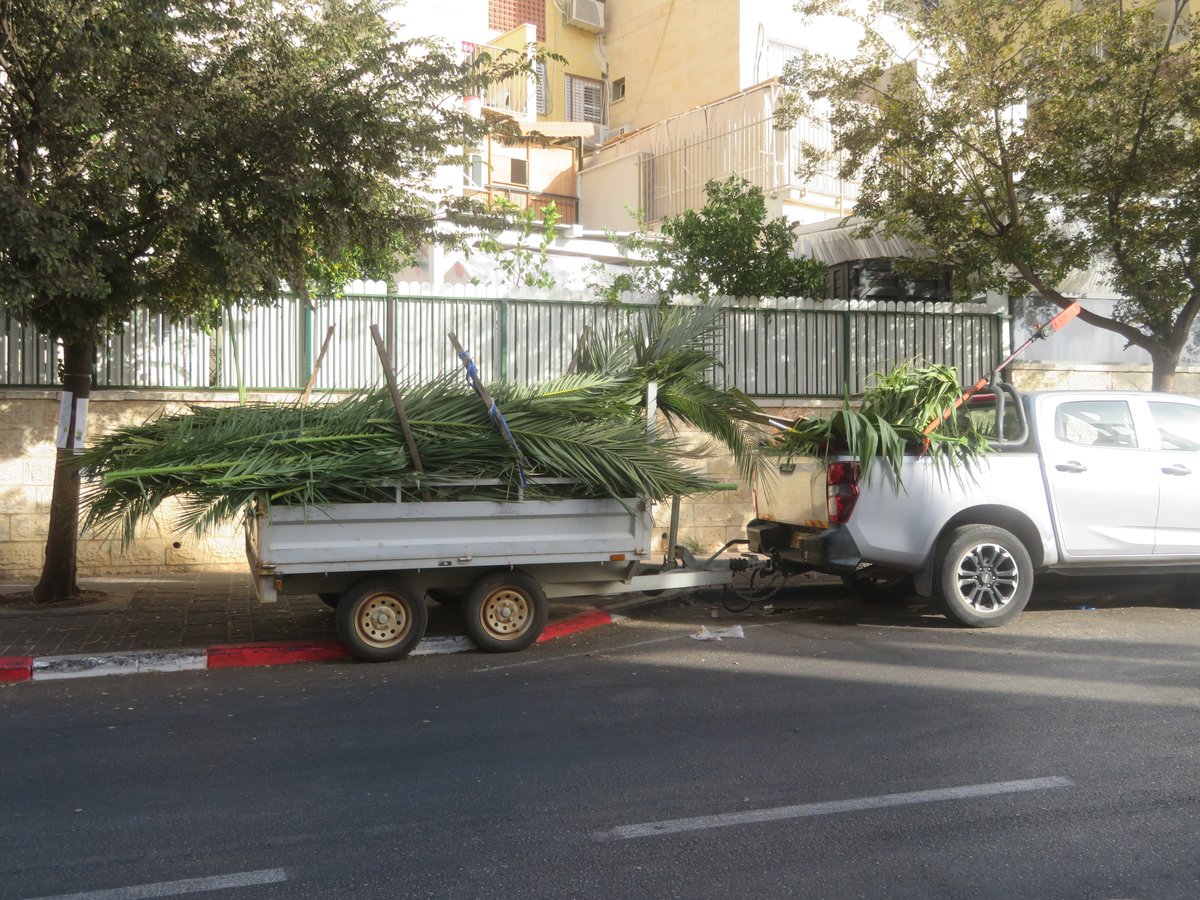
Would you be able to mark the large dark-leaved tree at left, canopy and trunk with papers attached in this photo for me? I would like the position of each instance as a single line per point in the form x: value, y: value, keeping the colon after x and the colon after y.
x: 183, y: 157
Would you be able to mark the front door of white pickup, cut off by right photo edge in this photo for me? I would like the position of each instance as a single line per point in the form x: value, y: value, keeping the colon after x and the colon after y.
x: 1178, y: 466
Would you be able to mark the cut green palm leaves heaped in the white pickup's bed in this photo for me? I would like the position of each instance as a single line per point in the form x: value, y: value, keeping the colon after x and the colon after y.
x: 891, y: 419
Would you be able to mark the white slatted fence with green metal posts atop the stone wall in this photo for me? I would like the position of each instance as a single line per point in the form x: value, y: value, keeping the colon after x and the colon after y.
x: 793, y: 350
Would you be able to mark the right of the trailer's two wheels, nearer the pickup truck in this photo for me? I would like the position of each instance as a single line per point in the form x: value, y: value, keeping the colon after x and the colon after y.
x: 506, y: 611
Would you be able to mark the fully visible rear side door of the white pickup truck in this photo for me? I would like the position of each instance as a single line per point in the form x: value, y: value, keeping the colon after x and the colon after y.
x: 1103, y: 487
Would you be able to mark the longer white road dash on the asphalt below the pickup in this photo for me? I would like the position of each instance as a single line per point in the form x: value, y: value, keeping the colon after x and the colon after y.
x: 674, y: 826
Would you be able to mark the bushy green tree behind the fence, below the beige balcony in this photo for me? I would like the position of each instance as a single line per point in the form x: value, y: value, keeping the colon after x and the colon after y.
x: 727, y: 249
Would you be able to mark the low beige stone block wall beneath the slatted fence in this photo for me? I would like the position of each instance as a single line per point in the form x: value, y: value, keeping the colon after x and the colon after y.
x: 28, y: 422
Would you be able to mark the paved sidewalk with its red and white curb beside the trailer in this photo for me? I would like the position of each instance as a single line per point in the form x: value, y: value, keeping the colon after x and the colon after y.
x: 202, y: 621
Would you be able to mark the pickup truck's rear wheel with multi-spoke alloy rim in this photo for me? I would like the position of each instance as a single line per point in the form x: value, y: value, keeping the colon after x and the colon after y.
x: 982, y: 577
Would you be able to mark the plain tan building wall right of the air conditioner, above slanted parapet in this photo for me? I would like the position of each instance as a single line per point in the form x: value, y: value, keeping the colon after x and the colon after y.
x: 673, y: 56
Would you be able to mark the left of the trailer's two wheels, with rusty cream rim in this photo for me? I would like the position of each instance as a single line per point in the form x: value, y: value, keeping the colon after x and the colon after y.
x: 381, y: 620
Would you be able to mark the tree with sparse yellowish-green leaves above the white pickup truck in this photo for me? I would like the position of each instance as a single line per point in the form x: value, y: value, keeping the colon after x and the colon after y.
x: 1022, y: 140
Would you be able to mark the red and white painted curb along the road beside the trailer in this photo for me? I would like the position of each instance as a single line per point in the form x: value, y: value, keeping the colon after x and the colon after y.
x: 235, y: 656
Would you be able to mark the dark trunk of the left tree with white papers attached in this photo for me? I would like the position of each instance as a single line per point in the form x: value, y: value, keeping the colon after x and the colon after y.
x: 58, y: 580
